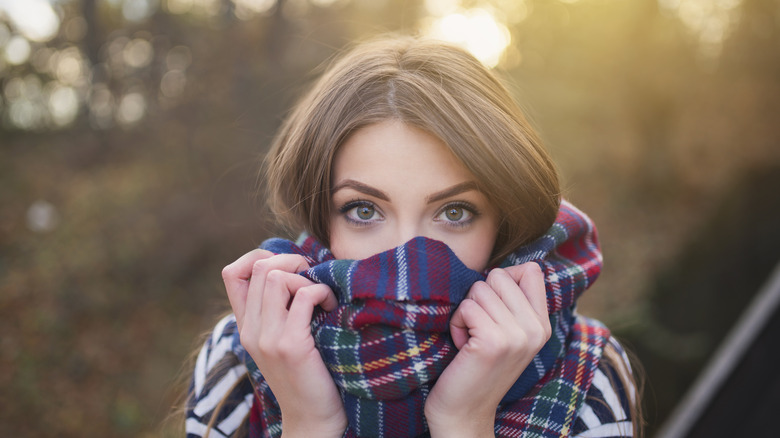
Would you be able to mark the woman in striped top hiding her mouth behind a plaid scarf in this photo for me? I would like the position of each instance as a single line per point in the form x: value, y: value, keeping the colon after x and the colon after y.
x: 441, y: 271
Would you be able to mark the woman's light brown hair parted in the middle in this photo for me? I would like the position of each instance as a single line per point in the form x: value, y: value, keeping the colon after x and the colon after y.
x: 433, y: 86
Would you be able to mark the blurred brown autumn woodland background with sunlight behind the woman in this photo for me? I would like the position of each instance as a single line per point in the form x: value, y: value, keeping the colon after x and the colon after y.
x: 131, y: 133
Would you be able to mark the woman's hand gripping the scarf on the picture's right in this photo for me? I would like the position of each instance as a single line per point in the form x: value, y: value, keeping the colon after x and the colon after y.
x: 498, y: 328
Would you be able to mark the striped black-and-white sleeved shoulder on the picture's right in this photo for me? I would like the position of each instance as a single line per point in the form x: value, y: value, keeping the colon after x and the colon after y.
x: 607, y: 411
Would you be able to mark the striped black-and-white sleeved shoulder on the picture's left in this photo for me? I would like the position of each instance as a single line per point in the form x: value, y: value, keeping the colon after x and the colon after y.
x: 220, y: 394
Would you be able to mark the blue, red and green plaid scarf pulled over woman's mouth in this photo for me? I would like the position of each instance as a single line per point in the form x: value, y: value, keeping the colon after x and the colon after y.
x: 388, y: 340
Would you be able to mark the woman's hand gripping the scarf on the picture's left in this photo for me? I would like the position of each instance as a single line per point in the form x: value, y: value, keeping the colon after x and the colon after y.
x: 274, y: 307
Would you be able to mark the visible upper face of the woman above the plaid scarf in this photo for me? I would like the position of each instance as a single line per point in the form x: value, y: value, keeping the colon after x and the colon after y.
x: 393, y: 182
